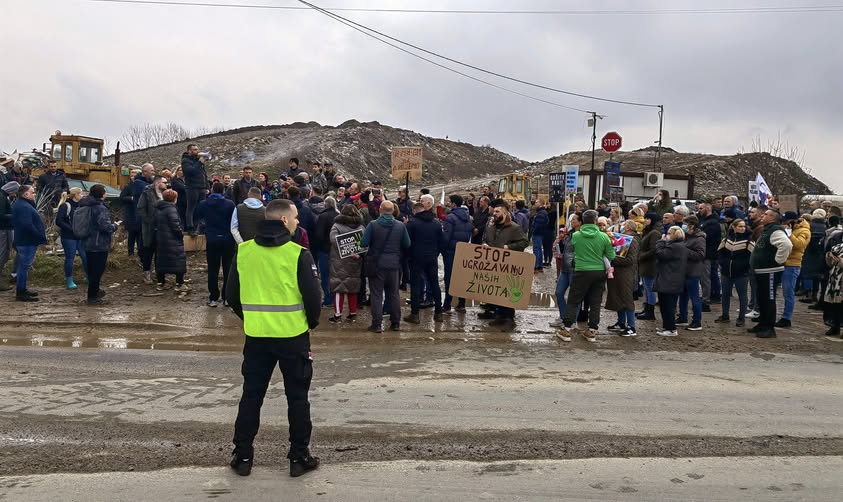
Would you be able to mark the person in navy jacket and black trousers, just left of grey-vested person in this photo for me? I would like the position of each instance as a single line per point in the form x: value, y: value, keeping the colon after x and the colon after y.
x: 215, y: 212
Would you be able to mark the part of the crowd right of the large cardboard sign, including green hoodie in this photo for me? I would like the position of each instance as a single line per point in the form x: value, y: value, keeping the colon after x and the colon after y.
x: 678, y: 257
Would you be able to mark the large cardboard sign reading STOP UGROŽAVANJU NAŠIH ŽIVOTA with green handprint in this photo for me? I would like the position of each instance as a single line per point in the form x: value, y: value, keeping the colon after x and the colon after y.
x: 492, y: 275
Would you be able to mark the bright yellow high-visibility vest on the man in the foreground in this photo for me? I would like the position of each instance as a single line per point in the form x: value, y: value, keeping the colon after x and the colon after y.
x: 269, y: 290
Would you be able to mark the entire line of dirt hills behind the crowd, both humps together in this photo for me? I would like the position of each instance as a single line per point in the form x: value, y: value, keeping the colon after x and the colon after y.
x: 362, y: 151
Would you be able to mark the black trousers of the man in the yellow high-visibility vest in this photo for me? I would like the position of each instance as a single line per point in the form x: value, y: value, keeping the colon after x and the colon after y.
x: 260, y: 355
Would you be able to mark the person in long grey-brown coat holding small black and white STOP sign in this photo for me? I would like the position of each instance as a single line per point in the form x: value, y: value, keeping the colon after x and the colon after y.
x: 344, y: 276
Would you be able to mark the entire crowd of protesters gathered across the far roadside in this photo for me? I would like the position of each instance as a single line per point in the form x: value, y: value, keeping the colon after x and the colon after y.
x: 673, y: 257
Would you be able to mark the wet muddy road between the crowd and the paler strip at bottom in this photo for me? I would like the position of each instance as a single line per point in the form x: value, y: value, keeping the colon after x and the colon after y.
x: 151, y: 381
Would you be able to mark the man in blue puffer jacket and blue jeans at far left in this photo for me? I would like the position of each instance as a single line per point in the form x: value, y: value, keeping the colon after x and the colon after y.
x: 29, y: 234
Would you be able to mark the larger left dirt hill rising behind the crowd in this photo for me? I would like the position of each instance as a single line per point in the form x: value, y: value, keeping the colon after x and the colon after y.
x: 358, y: 150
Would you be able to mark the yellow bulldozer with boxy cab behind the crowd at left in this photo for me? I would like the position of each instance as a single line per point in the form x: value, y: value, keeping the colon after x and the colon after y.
x: 81, y: 159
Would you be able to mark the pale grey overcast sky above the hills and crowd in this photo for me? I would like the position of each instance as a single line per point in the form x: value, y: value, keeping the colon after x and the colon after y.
x: 97, y: 68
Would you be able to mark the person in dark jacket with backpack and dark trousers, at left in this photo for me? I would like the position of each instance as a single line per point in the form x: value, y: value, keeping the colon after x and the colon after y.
x: 98, y: 242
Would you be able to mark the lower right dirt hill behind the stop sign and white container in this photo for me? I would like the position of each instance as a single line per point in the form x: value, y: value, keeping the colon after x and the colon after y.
x: 714, y: 175
